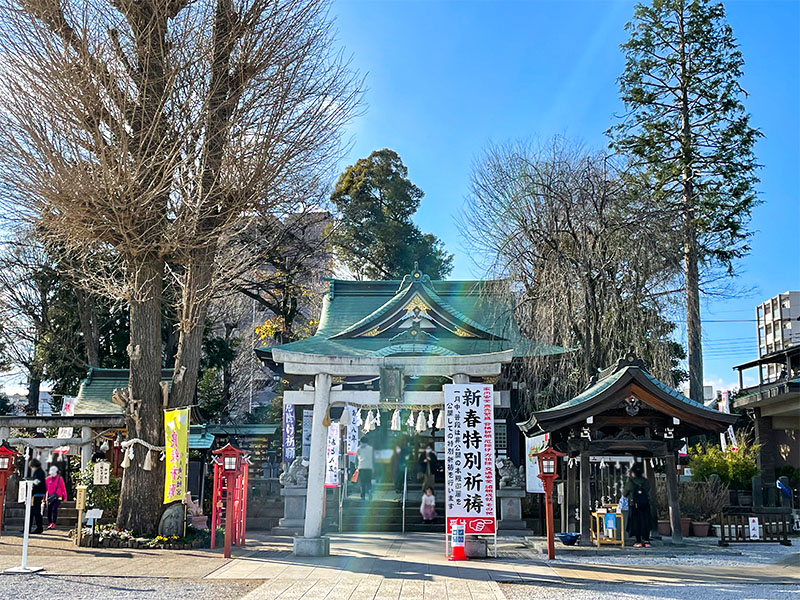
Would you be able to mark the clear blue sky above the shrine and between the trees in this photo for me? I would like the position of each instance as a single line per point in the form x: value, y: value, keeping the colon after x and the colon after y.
x: 446, y: 78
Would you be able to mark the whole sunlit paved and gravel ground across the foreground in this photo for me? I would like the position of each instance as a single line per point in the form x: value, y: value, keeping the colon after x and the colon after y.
x: 400, y: 567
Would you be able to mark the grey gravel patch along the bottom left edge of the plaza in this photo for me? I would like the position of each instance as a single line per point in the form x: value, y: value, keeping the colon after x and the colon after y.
x: 36, y: 587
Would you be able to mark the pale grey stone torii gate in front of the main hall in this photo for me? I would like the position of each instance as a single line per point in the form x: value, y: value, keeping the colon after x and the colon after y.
x: 323, y: 368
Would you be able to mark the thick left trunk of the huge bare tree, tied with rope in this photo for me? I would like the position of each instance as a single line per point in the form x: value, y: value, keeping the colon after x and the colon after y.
x: 141, y: 496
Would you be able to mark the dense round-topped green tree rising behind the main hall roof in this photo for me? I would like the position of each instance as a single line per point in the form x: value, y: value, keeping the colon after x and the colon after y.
x: 375, y: 237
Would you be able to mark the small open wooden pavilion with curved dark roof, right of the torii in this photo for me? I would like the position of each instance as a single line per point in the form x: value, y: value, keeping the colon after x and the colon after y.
x: 625, y: 411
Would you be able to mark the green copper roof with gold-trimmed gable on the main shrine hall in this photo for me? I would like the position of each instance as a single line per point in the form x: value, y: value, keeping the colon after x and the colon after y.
x: 416, y: 316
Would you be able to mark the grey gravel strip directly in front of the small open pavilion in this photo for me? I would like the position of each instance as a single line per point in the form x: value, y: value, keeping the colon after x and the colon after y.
x: 734, y: 556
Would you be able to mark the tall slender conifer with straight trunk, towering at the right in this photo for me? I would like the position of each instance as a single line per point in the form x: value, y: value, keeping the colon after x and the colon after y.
x: 687, y: 126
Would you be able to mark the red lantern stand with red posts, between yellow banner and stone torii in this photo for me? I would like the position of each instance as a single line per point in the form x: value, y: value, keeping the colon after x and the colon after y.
x: 229, y: 502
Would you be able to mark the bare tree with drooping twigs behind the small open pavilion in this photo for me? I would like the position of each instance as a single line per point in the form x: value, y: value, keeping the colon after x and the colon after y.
x: 585, y: 257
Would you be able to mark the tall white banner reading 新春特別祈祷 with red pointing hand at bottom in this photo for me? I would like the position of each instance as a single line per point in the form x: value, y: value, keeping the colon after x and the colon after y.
x: 469, y: 457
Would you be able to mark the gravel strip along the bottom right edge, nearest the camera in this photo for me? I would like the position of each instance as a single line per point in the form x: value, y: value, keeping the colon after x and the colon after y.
x: 605, y: 591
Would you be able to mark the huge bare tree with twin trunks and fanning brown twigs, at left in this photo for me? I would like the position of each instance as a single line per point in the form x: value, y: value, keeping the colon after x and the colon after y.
x: 141, y: 134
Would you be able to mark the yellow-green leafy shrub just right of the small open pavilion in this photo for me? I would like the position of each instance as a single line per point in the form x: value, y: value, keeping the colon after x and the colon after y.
x: 735, y: 468
